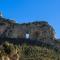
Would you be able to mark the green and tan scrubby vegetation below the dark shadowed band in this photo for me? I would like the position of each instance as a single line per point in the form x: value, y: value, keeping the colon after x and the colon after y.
x: 27, y: 52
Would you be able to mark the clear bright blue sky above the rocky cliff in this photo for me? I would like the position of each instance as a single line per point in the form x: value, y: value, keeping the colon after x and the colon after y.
x: 33, y: 10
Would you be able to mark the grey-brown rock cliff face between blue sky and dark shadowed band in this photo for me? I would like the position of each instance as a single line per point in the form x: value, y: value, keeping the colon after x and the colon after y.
x: 36, y: 30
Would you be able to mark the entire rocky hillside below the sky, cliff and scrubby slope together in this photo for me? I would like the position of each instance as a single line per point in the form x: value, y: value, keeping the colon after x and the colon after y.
x: 28, y: 41
